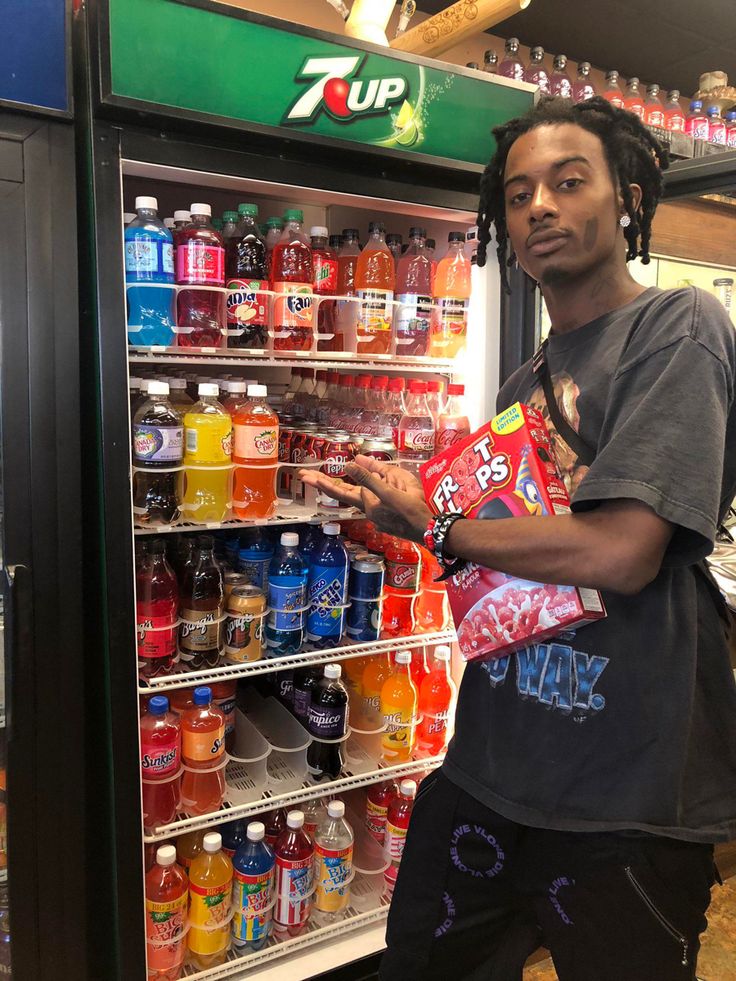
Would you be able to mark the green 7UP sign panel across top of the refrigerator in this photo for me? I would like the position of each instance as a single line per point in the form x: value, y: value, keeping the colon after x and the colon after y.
x: 202, y: 60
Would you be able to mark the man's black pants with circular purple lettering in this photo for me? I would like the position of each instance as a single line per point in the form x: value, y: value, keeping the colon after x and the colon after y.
x: 476, y: 894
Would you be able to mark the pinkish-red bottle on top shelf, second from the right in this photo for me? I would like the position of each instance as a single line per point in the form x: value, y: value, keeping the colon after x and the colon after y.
x: 414, y: 294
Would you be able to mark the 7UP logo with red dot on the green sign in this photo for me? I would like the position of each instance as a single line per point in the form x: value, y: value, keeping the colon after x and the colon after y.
x: 342, y: 96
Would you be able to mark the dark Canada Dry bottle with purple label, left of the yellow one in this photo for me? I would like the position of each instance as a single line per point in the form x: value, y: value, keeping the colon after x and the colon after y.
x: 158, y: 449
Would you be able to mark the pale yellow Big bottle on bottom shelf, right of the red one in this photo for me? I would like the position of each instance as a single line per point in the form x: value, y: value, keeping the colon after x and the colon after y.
x: 333, y: 862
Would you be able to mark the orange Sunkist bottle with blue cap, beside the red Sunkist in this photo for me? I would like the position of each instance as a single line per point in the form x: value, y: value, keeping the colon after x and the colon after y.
x: 203, y: 748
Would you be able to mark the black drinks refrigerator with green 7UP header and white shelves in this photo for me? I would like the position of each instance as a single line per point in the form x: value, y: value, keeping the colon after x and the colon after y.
x: 162, y: 112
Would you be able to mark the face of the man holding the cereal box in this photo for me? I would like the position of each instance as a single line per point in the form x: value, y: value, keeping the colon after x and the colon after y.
x: 562, y: 208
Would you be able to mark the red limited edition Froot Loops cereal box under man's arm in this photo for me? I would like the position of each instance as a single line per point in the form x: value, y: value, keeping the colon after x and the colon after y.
x: 506, y: 469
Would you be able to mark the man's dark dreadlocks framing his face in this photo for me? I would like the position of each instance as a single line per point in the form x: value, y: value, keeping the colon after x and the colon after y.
x: 634, y: 156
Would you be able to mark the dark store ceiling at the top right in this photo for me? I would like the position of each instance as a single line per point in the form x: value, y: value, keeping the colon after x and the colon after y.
x: 666, y: 41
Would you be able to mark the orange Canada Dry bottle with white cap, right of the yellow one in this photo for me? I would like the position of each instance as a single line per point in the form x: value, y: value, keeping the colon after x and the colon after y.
x: 255, y: 453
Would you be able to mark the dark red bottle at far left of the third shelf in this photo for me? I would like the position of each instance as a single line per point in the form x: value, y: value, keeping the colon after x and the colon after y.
x: 157, y: 609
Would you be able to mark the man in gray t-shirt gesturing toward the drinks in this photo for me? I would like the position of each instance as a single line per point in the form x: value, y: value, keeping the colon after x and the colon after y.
x: 588, y: 777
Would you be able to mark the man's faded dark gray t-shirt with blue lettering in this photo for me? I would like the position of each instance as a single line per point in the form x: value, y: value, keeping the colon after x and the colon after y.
x: 630, y: 723
